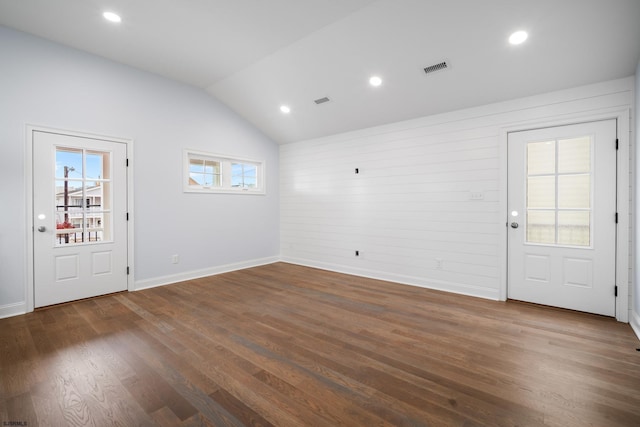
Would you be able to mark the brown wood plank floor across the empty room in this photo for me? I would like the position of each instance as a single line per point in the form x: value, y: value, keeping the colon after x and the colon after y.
x: 286, y: 345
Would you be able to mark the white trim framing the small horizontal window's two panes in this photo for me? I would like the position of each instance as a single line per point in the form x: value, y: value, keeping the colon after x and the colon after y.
x: 225, y: 172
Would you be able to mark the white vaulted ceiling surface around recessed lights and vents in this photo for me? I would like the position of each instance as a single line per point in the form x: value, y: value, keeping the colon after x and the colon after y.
x: 255, y: 55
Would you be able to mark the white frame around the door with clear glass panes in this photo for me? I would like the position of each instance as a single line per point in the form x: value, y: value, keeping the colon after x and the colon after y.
x: 29, y: 284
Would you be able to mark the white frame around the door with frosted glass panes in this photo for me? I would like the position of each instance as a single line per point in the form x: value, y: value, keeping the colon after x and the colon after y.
x: 622, y: 232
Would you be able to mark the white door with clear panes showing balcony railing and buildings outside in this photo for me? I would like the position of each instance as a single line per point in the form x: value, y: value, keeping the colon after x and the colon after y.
x: 79, y: 217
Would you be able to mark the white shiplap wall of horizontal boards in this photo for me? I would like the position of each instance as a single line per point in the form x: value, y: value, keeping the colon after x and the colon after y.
x: 412, y: 211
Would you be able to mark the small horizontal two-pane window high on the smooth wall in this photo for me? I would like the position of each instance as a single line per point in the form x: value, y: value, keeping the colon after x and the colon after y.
x: 205, y: 172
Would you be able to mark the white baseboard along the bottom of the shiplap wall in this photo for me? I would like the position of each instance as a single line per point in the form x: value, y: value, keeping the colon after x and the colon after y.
x: 458, y: 288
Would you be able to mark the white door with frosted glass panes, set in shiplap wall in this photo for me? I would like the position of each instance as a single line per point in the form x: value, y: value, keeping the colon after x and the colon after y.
x: 562, y: 216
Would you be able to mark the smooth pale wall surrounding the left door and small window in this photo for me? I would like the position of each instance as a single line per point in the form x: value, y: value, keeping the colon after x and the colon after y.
x: 46, y: 84
